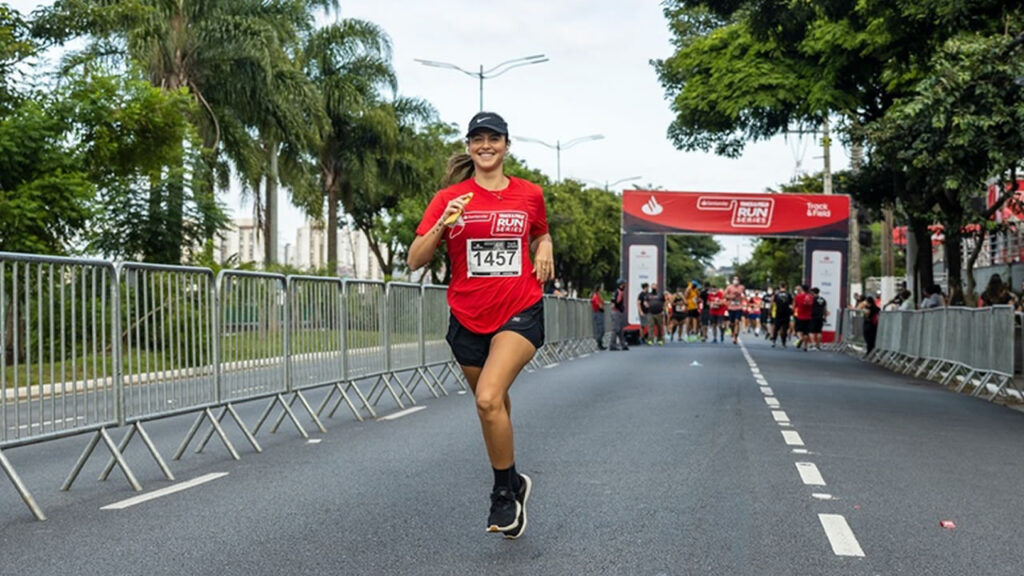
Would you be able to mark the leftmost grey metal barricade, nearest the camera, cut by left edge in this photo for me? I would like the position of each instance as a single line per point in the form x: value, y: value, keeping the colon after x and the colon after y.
x: 59, y: 354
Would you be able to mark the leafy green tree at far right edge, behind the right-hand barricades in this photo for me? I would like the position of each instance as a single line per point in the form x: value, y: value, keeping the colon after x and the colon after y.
x: 963, y: 126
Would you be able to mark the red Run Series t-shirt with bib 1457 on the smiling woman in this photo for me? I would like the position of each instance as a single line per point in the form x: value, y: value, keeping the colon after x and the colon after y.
x: 495, y: 281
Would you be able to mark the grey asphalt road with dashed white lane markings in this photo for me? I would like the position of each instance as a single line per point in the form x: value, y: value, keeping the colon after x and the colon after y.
x: 665, y: 461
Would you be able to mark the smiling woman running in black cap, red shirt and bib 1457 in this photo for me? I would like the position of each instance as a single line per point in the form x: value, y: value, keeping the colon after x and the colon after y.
x: 491, y: 224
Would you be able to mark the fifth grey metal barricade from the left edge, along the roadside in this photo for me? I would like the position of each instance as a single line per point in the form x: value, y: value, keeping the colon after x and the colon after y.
x: 366, y: 340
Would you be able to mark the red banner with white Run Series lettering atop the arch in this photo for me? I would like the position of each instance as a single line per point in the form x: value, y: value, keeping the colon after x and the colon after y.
x: 804, y: 216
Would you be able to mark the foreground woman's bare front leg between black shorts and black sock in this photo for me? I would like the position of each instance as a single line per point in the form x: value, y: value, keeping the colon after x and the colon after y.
x: 509, y: 355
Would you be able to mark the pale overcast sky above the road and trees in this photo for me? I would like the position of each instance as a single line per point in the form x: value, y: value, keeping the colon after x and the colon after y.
x: 599, y: 81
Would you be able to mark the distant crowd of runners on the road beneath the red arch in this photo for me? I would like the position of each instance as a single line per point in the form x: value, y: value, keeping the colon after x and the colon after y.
x: 708, y: 313
